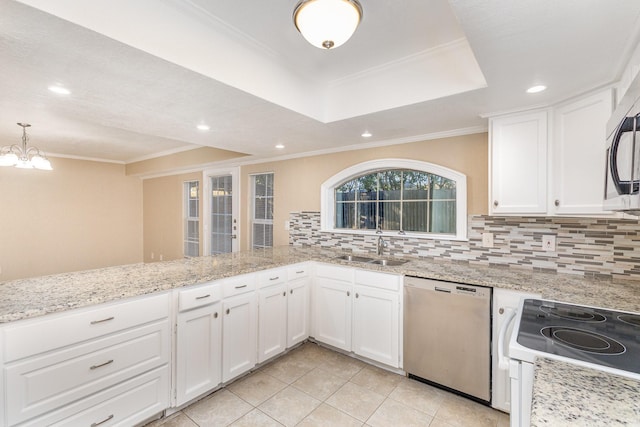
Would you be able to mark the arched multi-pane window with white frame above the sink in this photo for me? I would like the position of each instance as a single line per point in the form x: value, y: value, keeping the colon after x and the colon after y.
x: 396, y: 196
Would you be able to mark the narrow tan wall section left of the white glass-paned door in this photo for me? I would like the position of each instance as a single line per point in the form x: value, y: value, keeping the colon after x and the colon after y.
x: 163, y: 216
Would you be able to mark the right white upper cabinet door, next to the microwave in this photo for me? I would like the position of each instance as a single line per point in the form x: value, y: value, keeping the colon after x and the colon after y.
x: 579, y: 155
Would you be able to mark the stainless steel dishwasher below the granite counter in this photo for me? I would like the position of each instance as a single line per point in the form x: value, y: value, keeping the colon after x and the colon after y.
x: 447, y: 335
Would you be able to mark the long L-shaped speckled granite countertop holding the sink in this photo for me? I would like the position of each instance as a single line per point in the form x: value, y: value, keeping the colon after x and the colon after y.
x: 22, y: 299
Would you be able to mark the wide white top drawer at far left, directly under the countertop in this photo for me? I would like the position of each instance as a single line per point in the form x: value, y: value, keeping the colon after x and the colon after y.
x: 31, y: 337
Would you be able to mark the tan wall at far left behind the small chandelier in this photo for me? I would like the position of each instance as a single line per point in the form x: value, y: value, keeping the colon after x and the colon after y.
x: 81, y: 215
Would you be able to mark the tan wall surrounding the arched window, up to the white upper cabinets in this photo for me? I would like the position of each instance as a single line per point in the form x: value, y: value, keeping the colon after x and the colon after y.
x: 297, y: 181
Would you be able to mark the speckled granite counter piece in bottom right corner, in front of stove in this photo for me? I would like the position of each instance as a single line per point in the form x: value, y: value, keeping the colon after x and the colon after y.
x: 570, y: 395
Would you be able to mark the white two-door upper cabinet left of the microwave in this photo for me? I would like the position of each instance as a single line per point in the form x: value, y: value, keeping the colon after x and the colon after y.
x: 552, y: 161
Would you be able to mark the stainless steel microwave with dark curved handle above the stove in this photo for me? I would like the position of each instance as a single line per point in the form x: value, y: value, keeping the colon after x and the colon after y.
x: 622, y: 185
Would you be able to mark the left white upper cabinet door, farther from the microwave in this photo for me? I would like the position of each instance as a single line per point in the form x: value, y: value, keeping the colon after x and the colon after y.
x: 518, y: 150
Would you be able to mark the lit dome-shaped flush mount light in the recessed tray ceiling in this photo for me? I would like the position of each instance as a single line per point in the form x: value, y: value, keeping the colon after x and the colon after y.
x: 327, y: 24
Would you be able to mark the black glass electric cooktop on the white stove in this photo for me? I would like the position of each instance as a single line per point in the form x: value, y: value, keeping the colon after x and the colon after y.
x: 594, y: 335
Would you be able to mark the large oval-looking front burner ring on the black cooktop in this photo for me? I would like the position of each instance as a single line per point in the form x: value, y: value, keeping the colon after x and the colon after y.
x: 583, y: 340
